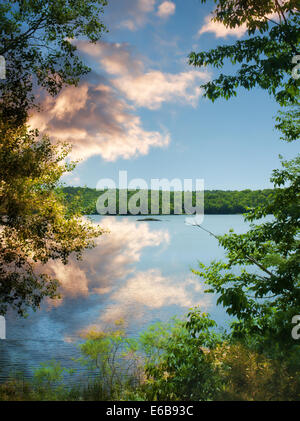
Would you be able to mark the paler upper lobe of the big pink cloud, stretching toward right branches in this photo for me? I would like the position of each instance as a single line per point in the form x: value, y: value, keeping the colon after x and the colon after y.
x: 145, y: 88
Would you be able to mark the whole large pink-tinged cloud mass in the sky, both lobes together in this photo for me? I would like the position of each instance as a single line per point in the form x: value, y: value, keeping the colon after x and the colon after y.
x: 98, y: 117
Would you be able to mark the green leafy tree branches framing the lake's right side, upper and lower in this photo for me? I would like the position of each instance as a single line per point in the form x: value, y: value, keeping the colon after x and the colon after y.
x: 259, y: 283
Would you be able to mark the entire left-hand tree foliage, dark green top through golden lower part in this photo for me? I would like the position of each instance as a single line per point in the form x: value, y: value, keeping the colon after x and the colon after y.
x: 35, y: 225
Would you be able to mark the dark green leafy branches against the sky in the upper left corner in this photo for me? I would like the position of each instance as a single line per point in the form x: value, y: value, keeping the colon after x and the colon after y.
x: 36, y: 40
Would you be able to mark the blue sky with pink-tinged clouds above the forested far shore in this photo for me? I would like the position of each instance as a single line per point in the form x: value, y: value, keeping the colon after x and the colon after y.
x: 141, y: 109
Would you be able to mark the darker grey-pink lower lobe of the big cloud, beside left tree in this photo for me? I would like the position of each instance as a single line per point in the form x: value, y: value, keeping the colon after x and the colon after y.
x: 96, y: 122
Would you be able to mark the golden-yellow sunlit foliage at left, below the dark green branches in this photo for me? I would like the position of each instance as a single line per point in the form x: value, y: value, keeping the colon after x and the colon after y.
x: 35, y: 225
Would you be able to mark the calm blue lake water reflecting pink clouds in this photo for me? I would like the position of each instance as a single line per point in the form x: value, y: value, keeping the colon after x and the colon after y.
x: 140, y: 272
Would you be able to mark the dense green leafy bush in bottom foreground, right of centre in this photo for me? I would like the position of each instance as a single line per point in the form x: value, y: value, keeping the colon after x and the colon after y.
x: 176, y: 363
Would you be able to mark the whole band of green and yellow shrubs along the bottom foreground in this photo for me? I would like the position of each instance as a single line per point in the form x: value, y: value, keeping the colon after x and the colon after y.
x: 184, y: 359
